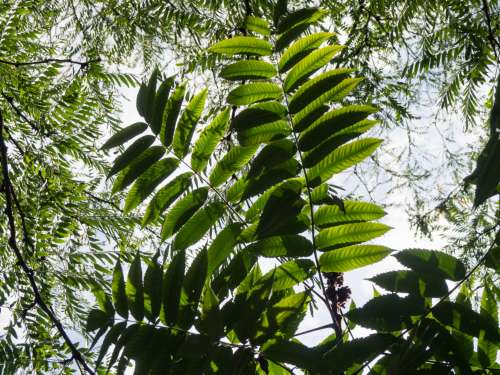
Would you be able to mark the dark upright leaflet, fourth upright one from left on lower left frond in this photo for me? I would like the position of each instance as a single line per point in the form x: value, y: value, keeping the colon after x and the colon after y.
x: 172, y: 286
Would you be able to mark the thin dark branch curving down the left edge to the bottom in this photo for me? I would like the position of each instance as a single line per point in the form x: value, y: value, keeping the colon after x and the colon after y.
x: 8, y: 191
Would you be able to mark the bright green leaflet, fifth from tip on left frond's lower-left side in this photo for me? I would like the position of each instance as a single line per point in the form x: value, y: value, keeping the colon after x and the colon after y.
x: 166, y: 196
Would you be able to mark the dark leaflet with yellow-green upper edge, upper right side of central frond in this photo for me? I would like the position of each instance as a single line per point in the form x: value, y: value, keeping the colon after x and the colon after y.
x: 310, y: 91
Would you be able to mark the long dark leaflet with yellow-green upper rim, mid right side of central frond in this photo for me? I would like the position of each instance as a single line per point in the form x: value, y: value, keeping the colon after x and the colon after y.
x: 332, y: 122
